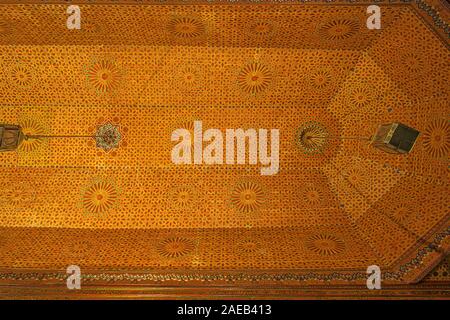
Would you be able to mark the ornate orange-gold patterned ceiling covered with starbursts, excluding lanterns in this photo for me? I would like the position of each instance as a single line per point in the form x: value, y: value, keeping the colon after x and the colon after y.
x: 130, y: 216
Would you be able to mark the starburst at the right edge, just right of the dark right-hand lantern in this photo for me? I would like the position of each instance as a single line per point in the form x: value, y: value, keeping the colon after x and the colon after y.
x: 436, y: 138
